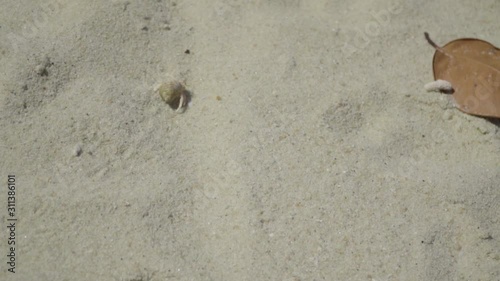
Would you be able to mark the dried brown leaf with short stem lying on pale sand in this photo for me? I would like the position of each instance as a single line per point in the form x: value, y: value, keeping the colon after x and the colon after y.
x: 472, y: 66
